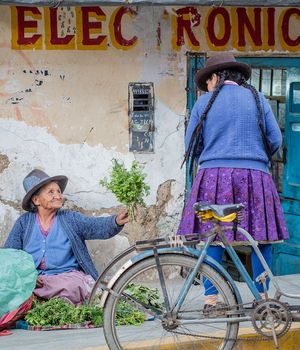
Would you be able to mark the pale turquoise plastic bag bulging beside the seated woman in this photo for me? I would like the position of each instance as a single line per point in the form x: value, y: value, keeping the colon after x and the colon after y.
x: 17, y: 279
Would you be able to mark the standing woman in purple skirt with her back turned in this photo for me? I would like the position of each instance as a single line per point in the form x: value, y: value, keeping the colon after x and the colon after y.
x: 233, y: 133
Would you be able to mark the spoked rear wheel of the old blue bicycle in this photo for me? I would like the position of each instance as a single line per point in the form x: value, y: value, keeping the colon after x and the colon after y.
x: 157, y: 334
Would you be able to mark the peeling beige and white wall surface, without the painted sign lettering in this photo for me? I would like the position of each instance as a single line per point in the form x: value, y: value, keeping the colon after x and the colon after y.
x: 66, y: 112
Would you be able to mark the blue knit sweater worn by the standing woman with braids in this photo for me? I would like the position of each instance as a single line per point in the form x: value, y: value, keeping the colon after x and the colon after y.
x: 231, y: 135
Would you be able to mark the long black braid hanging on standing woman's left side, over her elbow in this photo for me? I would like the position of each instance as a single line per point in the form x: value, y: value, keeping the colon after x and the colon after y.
x: 196, y: 141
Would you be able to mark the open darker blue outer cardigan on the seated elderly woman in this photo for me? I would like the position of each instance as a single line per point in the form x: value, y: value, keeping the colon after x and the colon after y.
x: 76, y: 226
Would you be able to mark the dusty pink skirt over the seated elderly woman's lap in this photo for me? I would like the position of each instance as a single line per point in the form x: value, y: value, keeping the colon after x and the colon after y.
x: 74, y: 287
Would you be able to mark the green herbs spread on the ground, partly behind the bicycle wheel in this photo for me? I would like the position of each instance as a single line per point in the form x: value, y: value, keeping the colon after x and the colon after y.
x: 57, y: 312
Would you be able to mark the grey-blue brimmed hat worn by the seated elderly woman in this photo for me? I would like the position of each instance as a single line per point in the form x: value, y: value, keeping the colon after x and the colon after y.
x: 35, y: 180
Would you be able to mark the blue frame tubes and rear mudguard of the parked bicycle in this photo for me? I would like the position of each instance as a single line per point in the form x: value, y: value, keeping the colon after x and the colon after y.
x: 202, y: 257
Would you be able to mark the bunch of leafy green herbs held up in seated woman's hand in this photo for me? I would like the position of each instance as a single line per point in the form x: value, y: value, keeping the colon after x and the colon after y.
x: 127, y: 185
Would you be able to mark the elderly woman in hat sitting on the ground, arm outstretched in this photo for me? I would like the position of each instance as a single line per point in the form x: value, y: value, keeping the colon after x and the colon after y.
x: 56, y: 238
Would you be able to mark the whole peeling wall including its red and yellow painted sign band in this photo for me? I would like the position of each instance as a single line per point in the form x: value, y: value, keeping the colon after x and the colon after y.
x: 65, y: 110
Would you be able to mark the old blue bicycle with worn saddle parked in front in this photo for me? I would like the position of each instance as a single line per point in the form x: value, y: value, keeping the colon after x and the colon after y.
x: 178, y: 270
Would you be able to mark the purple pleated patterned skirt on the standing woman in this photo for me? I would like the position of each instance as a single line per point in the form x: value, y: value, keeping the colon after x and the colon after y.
x: 263, y: 216
